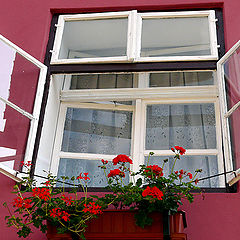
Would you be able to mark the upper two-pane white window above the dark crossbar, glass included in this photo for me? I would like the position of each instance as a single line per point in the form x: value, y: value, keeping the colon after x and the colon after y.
x: 135, y: 37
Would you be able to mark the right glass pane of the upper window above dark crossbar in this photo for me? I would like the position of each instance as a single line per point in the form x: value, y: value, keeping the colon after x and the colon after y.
x: 175, y: 37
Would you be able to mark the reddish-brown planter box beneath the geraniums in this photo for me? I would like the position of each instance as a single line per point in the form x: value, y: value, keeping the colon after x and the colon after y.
x: 120, y: 225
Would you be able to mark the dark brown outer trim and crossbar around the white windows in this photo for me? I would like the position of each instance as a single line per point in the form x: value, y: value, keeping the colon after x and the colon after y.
x: 125, y: 67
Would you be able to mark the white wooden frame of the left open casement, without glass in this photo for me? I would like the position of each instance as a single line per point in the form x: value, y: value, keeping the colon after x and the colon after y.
x: 34, y: 117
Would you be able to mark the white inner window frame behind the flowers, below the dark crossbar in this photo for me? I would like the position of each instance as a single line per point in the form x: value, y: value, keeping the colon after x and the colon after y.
x: 142, y: 96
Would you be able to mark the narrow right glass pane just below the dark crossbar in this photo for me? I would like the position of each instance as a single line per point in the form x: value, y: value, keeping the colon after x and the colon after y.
x: 174, y: 79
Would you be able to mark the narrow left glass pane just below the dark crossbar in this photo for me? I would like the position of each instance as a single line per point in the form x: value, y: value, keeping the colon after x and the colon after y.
x: 101, y: 81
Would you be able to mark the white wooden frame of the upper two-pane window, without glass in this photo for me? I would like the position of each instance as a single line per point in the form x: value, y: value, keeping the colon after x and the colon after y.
x: 134, y: 36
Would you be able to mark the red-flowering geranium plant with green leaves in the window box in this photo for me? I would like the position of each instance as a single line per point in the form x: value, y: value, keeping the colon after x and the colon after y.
x: 149, y: 190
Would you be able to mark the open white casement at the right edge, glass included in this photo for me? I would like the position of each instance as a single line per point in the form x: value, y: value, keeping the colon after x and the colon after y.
x: 228, y: 68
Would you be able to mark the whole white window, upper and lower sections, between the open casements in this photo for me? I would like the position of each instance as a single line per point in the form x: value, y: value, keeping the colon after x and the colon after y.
x: 94, y: 115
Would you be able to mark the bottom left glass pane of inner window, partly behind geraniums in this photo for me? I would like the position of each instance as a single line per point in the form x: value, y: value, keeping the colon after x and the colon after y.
x: 73, y: 167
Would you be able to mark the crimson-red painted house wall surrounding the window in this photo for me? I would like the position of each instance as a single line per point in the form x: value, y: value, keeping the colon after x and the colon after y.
x: 26, y: 23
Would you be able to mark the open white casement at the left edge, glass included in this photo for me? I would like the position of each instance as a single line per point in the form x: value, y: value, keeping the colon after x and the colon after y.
x: 22, y: 79
